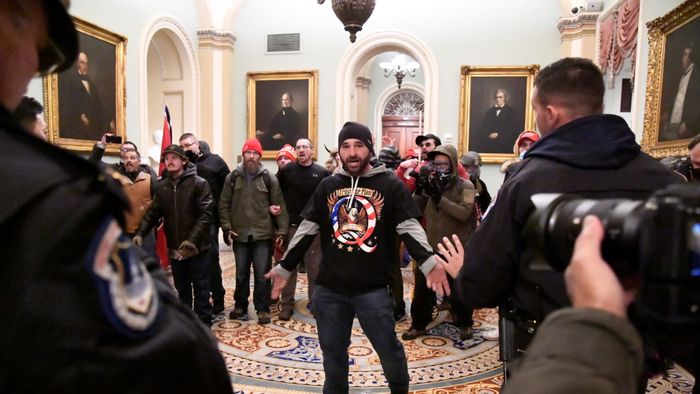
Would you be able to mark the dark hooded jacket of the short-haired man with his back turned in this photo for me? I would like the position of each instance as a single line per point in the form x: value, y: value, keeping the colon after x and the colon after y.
x: 592, y: 157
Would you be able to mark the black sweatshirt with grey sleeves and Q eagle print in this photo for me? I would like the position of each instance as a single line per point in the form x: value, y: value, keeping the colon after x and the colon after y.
x: 358, y: 218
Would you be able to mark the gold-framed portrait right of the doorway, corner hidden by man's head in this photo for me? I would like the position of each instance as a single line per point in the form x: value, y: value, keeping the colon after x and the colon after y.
x: 494, y: 109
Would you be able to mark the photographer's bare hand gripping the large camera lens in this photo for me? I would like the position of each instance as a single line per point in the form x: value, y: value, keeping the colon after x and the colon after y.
x: 590, y: 281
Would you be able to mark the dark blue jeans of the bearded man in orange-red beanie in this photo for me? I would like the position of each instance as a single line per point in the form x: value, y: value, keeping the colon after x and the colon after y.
x: 260, y: 254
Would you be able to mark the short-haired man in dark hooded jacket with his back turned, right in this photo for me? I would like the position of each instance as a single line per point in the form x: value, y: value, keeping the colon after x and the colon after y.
x: 582, y: 152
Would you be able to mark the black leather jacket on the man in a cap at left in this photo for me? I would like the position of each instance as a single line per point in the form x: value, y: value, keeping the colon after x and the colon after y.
x: 185, y: 205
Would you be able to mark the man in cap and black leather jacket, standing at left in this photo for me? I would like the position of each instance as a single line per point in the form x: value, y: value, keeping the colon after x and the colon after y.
x: 184, y: 200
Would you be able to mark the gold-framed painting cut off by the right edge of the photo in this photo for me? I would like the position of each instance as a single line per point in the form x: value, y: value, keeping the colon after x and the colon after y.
x: 669, y: 37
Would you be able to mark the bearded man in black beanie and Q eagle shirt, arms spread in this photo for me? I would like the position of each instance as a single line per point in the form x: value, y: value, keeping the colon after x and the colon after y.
x: 357, y: 214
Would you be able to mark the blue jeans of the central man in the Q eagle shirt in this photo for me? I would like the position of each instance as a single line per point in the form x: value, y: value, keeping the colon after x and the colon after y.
x: 374, y: 309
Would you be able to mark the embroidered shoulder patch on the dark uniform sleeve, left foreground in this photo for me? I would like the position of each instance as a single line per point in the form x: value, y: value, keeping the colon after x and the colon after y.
x: 126, y: 290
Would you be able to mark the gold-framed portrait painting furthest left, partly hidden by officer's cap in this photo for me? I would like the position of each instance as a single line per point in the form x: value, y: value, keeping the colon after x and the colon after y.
x: 80, y: 109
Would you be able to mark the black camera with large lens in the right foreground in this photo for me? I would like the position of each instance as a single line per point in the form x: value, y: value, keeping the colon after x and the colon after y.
x: 653, y: 243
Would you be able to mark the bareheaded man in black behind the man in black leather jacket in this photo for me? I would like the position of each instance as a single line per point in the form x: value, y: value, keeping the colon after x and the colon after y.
x: 213, y: 169
